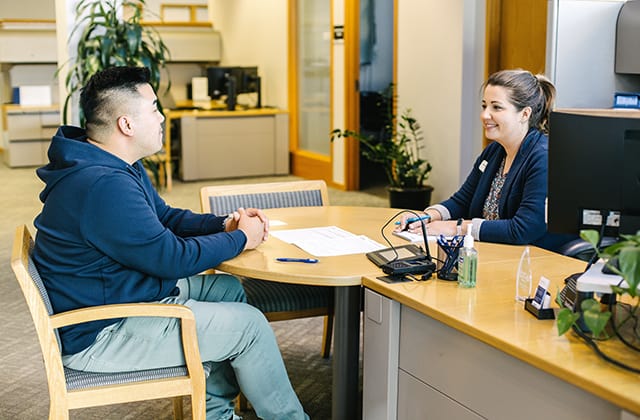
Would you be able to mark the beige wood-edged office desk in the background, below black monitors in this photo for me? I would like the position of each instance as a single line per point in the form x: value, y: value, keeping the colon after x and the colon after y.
x: 217, y: 143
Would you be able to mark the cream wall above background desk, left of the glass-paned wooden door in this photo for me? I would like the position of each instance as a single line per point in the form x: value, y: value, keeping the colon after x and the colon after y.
x: 255, y: 33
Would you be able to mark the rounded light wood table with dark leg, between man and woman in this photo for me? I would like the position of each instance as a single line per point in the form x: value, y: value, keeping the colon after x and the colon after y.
x: 345, y: 272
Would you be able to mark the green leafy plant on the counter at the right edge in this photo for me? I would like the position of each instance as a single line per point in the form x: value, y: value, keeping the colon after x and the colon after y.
x: 623, y: 258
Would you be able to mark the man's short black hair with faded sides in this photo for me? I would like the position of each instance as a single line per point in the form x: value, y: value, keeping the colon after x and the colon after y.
x: 102, y: 93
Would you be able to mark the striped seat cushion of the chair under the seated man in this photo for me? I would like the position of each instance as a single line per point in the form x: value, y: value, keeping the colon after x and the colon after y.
x: 77, y: 379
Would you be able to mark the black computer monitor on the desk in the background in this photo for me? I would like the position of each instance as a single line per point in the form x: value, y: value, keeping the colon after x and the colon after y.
x: 231, y: 81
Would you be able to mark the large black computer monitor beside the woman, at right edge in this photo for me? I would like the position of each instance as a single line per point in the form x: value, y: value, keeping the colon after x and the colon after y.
x: 594, y: 171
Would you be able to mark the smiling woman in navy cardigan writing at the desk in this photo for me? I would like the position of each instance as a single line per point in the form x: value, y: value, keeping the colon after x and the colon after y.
x: 504, y: 196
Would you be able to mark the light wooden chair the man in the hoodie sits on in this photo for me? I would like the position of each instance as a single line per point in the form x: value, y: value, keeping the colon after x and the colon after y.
x: 70, y: 389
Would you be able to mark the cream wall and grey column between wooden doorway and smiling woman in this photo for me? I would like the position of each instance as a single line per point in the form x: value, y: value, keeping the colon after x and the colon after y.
x: 440, y: 70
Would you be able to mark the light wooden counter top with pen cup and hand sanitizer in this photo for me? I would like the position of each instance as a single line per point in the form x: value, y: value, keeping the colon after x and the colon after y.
x: 490, y: 314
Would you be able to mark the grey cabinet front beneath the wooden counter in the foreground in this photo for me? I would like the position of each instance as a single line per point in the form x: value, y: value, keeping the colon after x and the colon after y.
x: 439, y: 372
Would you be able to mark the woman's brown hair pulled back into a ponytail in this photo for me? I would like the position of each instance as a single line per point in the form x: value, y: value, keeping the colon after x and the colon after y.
x: 527, y: 90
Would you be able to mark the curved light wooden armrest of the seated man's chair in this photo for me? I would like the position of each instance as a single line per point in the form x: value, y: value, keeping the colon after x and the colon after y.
x: 94, y: 313
